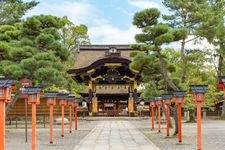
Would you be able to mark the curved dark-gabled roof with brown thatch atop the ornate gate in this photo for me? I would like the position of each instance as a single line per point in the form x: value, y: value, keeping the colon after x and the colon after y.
x: 104, y: 64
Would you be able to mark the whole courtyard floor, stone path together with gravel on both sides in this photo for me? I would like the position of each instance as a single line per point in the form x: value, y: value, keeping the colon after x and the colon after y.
x: 121, y: 133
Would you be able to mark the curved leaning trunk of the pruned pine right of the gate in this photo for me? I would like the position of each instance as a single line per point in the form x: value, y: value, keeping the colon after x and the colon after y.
x: 170, y: 83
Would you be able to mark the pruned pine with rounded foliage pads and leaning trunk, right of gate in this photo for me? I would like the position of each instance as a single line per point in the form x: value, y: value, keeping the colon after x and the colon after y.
x: 153, y: 36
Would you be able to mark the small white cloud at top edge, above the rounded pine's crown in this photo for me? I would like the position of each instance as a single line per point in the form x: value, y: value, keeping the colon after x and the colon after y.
x: 143, y: 4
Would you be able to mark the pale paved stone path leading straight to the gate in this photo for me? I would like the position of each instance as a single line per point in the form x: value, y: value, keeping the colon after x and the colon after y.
x: 115, y: 135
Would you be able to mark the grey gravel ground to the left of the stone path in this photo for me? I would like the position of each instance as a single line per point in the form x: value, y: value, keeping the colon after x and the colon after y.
x: 15, y: 138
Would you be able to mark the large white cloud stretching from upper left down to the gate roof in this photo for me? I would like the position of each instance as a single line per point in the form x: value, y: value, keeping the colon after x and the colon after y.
x: 100, y: 30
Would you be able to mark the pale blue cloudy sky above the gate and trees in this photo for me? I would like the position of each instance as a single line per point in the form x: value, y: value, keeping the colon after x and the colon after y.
x: 108, y: 21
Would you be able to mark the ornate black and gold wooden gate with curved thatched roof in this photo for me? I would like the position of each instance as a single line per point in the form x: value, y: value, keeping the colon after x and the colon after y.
x: 110, y: 86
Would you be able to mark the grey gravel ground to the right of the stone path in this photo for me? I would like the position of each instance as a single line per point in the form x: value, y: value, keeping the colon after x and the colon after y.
x: 213, y: 134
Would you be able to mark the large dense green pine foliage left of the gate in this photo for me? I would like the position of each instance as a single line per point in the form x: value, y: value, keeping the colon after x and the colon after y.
x: 33, y: 49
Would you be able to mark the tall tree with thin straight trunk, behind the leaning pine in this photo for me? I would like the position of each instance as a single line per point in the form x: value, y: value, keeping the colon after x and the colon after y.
x: 185, y: 15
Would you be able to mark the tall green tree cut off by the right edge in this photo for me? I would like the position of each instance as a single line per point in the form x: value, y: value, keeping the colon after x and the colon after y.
x: 213, y: 29
